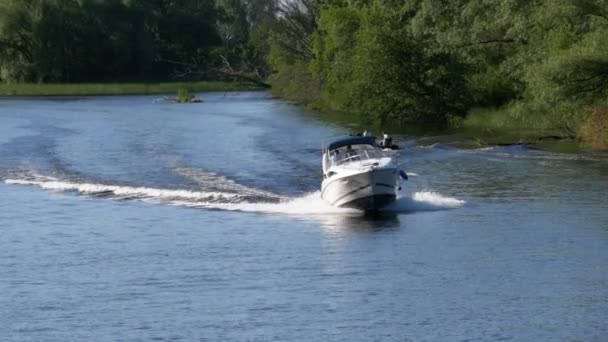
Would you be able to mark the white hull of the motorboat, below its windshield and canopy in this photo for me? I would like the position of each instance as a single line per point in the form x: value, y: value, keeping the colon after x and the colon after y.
x: 369, y: 190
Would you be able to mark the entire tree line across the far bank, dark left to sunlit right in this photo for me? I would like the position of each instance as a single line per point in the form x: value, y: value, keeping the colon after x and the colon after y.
x: 390, y: 61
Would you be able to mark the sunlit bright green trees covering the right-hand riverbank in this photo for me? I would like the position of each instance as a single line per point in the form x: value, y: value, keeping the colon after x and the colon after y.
x: 541, y: 64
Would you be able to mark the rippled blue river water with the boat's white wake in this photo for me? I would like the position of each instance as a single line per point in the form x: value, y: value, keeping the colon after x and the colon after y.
x: 124, y: 219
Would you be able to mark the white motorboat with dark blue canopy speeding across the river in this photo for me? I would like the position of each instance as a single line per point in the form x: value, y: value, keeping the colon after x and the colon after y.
x: 357, y: 173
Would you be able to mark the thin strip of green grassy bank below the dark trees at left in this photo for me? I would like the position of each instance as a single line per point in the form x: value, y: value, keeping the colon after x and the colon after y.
x: 89, y: 89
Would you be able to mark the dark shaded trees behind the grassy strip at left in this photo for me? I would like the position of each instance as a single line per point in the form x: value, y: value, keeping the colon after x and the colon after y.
x: 114, y: 40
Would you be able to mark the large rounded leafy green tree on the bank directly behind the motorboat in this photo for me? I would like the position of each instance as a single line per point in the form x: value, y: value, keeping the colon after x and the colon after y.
x: 382, y: 69
